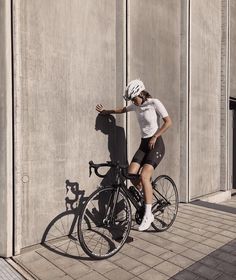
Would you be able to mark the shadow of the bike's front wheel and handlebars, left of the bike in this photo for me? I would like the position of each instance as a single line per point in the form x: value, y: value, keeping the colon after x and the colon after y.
x: 61, y: 234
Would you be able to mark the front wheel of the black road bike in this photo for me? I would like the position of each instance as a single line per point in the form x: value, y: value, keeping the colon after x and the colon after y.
x: 105, y: 223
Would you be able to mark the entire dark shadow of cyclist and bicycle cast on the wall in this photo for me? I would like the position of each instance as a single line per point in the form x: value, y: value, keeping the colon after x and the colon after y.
x: 61, y: 234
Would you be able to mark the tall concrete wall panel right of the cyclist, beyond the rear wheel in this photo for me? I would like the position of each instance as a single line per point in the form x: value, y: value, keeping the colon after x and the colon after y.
x: 205, y: 96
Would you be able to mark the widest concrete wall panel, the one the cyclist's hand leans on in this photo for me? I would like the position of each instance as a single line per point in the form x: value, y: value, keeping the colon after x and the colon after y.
x: 68, y: 57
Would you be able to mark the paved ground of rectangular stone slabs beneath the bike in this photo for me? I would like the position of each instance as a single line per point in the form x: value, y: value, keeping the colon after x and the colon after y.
x: 200, y: 245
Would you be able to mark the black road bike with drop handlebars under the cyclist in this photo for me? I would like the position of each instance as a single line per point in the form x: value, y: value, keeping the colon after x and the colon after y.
x: 106, y: 218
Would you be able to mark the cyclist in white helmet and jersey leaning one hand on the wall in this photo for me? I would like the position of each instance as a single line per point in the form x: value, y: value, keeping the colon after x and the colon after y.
x: 152, y: 149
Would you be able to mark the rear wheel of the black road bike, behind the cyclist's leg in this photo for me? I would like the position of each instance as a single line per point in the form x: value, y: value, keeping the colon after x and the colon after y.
x: 165, y: 202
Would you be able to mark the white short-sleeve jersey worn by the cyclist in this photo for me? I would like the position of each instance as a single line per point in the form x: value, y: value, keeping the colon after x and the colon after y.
x: 148, y: 115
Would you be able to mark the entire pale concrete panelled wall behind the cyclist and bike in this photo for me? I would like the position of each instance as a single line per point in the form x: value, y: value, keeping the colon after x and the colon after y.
x: 69, y: 56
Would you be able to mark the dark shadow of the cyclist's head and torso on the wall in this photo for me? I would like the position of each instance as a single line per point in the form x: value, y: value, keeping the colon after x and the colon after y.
x: 116, y: 143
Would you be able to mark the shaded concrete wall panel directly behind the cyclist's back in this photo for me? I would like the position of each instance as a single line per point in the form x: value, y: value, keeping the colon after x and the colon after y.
x: 155, y: 56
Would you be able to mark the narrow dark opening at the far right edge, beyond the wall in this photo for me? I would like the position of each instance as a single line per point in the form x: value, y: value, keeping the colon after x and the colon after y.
x: 232, y: 105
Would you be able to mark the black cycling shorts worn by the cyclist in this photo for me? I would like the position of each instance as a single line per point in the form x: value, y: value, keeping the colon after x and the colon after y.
x: 146, y: 156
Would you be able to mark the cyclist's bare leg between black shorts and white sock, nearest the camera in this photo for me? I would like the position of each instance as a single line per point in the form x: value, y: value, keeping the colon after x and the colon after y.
x: 146, y: 175
